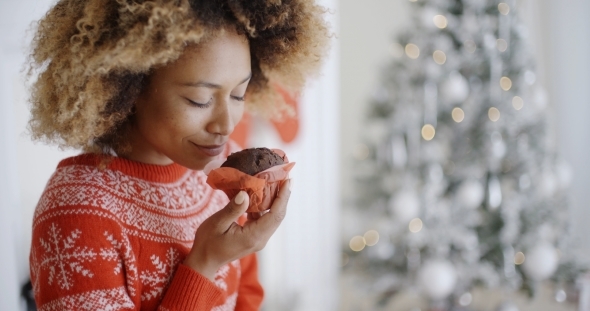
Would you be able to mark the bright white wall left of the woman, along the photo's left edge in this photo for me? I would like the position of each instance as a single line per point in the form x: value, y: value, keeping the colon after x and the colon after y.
x: 24, y: 166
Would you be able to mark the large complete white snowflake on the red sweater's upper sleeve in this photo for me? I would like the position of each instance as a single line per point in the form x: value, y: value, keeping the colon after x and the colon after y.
x: 63, y: 258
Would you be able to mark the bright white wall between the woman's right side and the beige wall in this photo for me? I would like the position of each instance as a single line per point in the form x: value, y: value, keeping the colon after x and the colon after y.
x: 300, y: 264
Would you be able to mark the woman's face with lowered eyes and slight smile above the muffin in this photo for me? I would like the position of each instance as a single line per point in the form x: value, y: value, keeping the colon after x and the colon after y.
x: 191, y: 106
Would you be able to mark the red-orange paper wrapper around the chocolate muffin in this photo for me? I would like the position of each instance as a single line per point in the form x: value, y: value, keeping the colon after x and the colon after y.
x: 262, y: 188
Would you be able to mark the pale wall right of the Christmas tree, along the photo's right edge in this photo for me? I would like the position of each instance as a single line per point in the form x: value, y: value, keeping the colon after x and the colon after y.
x: 563, y: 33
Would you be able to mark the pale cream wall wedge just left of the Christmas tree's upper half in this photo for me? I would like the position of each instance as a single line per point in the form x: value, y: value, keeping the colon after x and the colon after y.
x: 366, y: 33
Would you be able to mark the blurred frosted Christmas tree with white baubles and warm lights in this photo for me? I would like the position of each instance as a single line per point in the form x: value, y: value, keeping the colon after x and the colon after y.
x: 459, y: 183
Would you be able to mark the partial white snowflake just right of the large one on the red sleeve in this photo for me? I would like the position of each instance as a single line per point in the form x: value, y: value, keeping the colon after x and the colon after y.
x: 127, y: 262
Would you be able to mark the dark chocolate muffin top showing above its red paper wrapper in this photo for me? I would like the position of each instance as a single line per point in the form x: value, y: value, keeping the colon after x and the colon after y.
x: 253, y: 161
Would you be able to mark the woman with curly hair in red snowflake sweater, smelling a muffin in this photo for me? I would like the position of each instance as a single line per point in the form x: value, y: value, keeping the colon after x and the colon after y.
x: 151, y: 91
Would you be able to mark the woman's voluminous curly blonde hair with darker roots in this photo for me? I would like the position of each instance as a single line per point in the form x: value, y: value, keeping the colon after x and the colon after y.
x: 94, y: 57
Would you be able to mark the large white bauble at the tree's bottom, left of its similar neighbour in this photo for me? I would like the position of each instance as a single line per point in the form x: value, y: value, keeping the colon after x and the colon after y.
x: 437, y: 279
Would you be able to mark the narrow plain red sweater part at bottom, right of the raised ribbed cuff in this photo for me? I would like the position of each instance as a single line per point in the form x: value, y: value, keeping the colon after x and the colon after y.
x: 250, y: 292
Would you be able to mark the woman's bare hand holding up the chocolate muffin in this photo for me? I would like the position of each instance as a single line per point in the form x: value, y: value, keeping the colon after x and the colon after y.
x: 220, y: 240
